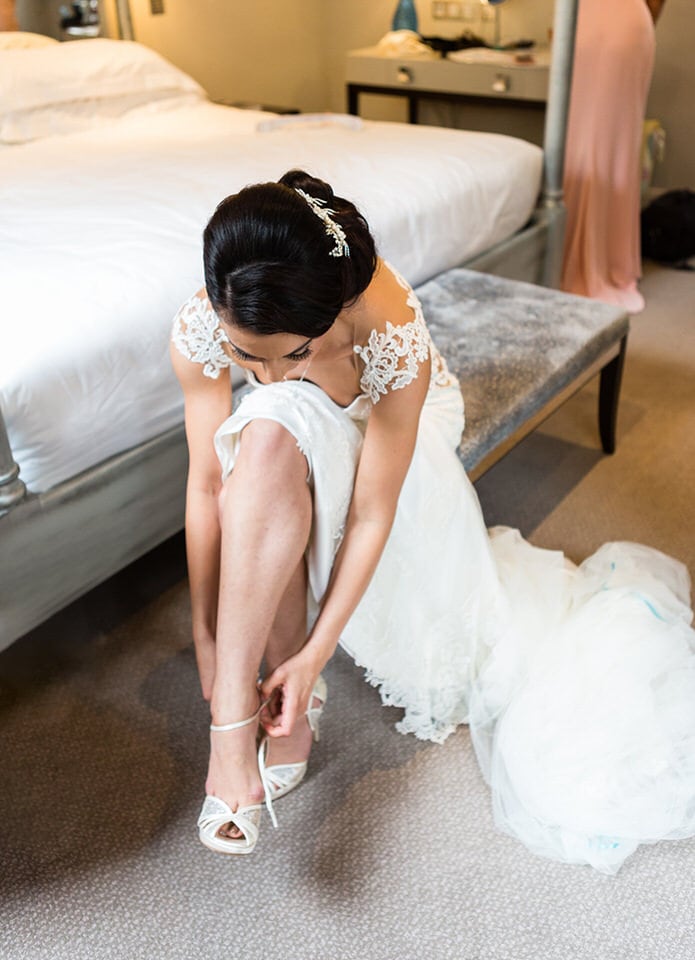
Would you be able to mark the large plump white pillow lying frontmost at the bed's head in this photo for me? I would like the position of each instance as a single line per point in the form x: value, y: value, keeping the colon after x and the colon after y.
x: 69, y: 86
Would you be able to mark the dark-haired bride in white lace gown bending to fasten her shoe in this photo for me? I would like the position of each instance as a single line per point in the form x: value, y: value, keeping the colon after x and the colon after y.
x: 330, y: 507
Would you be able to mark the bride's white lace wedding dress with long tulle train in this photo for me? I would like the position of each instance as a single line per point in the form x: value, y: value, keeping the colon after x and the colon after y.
x: 578, y: 683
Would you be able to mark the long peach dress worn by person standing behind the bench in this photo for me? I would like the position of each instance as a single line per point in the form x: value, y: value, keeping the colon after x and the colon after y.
x: 614, y: 59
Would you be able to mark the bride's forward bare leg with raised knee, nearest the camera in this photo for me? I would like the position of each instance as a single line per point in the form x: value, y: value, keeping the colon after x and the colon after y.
x: 266, y: 519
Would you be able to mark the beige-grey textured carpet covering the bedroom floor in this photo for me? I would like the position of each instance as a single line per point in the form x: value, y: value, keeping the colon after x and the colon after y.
x: 388, y: 852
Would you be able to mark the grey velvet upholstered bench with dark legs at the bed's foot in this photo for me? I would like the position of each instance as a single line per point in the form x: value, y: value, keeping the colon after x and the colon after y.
x: 520, y: 351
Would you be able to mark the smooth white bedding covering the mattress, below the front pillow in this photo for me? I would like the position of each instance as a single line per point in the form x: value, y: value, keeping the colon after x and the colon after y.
x: 100, y: 242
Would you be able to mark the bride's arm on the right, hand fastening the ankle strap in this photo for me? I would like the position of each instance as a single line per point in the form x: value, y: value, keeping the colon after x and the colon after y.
x: 386, y: 455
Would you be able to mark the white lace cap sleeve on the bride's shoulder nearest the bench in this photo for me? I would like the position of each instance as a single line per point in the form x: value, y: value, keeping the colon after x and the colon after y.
x: 392, y: 359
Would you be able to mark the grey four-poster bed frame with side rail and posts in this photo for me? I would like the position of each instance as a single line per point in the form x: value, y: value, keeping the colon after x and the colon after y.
x: 55, y: 546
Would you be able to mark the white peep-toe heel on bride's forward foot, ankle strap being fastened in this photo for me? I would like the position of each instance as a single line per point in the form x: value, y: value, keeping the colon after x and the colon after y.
x: 217, y: 813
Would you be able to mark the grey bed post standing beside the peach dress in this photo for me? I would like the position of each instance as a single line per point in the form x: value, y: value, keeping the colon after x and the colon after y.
x: 560, y: 83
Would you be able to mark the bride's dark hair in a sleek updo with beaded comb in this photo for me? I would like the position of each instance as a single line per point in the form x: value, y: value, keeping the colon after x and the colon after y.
x: 268, y: 262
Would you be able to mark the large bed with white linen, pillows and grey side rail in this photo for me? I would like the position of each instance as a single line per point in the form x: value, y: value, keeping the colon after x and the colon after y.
x: 103, y: 202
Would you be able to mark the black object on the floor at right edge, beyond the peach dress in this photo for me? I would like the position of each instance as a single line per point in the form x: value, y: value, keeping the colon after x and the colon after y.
x: 668, y: 229
